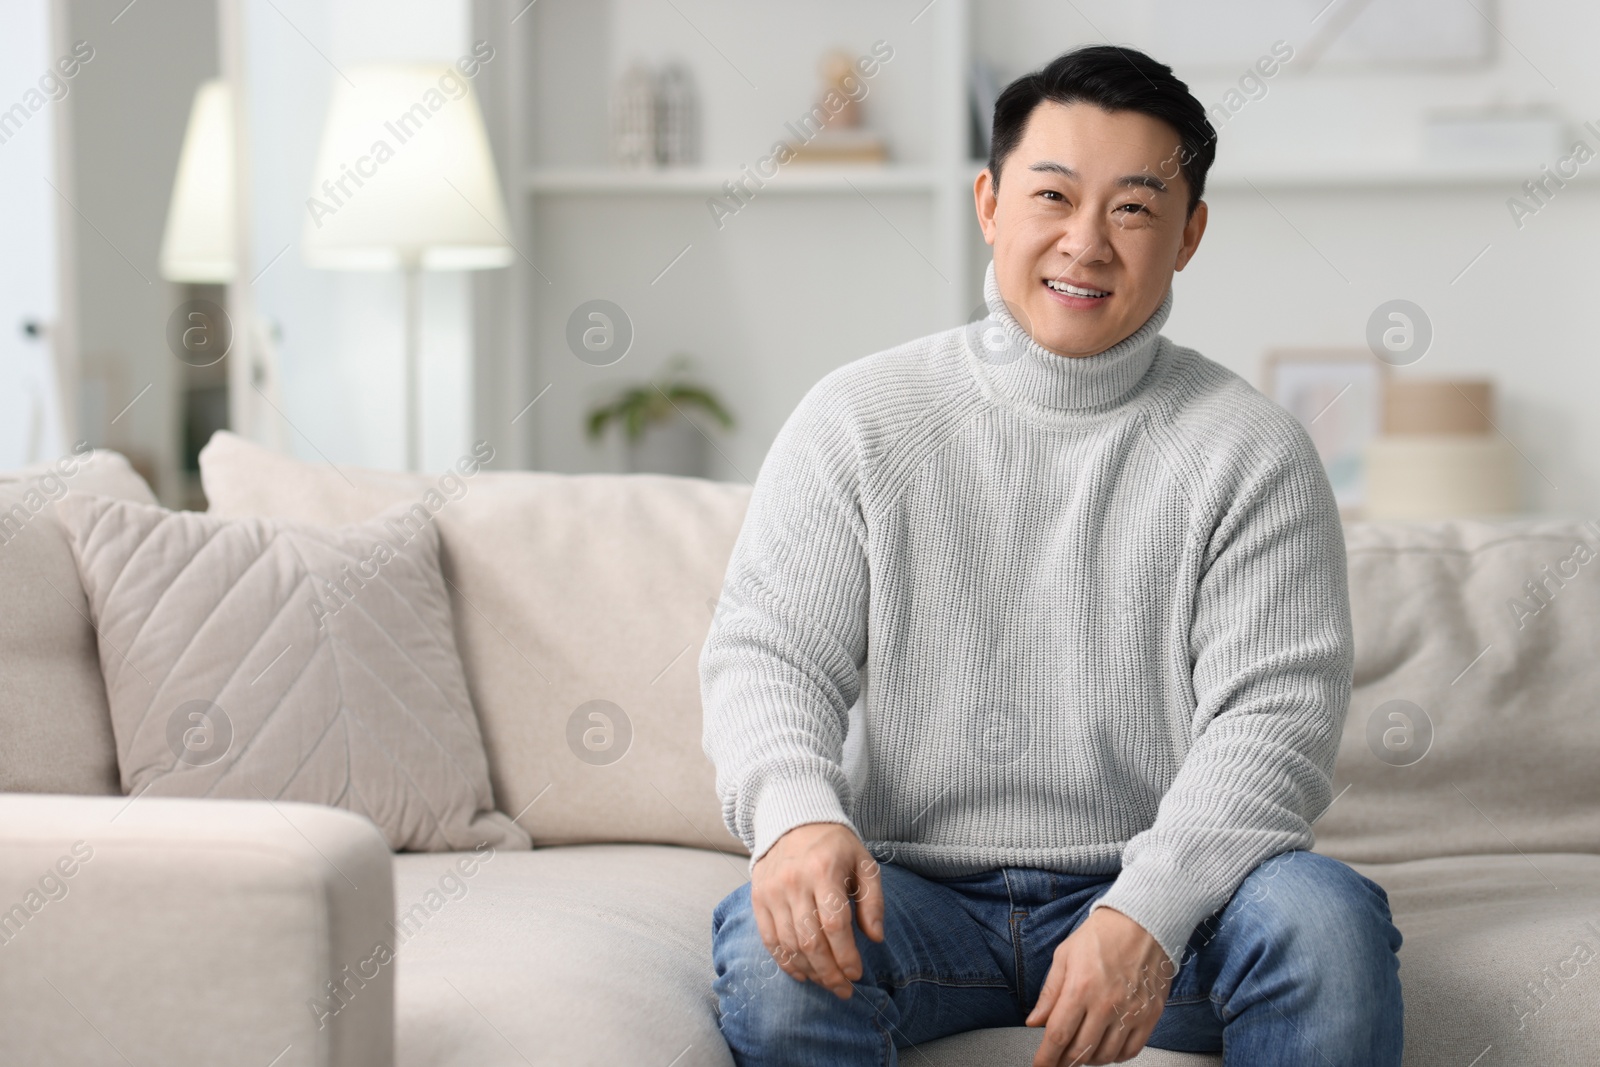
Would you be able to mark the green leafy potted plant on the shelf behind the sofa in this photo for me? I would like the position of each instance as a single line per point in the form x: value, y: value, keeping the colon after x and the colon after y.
x: 658, y: 434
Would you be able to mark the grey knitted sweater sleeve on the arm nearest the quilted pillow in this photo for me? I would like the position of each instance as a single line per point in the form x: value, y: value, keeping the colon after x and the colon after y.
x: 780, y: 666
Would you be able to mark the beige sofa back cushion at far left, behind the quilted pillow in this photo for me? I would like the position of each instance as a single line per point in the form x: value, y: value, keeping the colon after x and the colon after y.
x: 55, y: 729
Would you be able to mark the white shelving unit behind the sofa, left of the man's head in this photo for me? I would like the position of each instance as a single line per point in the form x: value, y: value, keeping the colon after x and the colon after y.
x: 887, y: 252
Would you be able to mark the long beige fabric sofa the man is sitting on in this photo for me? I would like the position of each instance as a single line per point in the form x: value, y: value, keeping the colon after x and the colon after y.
x: 196, y: 932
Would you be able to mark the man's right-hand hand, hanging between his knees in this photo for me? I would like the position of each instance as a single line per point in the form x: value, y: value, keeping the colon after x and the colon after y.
x: 1103, y: 996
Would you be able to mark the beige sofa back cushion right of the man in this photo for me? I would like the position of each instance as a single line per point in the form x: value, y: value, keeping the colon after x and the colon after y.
x: 1444, y: 621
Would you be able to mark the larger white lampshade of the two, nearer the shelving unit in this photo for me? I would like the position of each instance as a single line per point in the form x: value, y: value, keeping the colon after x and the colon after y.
x: 406, y: 177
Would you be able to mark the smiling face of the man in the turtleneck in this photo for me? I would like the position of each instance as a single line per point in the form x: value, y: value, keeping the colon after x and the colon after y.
x: 1094, y: 199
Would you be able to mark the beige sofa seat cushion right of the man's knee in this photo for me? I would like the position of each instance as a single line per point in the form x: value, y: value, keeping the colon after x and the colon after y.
x: 1500, y: 951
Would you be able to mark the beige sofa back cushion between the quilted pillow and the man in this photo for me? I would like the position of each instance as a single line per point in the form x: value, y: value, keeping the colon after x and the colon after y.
x: 567, y: 589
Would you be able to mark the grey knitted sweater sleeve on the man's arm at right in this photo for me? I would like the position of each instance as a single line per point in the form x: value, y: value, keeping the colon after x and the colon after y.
x: 1273, y: 653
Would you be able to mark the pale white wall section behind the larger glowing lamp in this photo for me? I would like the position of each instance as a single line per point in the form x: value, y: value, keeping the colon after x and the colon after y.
x: 342, y: 346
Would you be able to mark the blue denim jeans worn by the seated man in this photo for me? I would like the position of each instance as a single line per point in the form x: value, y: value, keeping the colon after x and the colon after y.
x: 1297, y: 969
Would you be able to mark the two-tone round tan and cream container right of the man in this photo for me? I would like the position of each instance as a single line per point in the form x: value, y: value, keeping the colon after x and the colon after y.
x: 1439, y: 455
